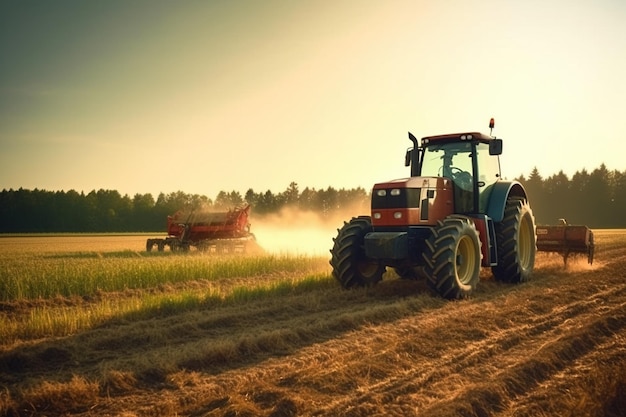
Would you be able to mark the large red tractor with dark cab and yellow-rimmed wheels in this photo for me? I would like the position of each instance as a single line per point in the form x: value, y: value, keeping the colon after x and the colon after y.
x: 453, y: 215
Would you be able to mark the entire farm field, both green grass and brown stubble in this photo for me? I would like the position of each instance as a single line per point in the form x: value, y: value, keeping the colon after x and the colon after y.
x: 94, y: 326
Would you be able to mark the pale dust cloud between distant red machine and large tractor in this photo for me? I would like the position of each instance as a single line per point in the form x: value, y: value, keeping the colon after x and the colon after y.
x: 296, y: 232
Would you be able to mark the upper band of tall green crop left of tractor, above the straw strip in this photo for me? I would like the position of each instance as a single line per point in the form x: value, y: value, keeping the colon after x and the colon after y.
x: 86, y: 274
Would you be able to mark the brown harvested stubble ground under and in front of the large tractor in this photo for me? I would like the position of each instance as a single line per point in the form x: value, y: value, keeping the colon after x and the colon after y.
x: 553, y: 346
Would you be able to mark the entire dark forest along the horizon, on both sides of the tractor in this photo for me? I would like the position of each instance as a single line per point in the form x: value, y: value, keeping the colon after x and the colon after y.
x: 596, y: 199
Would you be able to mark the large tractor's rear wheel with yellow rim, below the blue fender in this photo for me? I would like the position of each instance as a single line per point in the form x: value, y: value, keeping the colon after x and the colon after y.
x: 516, y: 242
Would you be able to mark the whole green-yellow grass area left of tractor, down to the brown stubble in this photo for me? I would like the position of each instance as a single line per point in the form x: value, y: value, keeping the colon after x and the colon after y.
x: 55, y: 293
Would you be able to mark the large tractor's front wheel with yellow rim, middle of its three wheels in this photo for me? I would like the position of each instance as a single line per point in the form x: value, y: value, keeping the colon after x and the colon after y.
x: 452, y: 258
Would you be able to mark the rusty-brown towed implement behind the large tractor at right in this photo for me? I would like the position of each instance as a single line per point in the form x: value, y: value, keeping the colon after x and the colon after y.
x: 566, y: 240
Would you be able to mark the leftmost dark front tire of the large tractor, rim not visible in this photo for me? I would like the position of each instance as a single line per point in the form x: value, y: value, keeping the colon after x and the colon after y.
x: 350, y: 265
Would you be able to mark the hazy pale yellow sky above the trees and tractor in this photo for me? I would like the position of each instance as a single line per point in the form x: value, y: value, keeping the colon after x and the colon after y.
x: 149, y: 96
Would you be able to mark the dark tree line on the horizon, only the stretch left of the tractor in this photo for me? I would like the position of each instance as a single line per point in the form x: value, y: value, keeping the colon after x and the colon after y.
x: 101, y: 211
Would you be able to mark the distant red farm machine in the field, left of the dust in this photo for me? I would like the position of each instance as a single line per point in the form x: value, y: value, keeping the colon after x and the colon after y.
x: 221, y: 232
